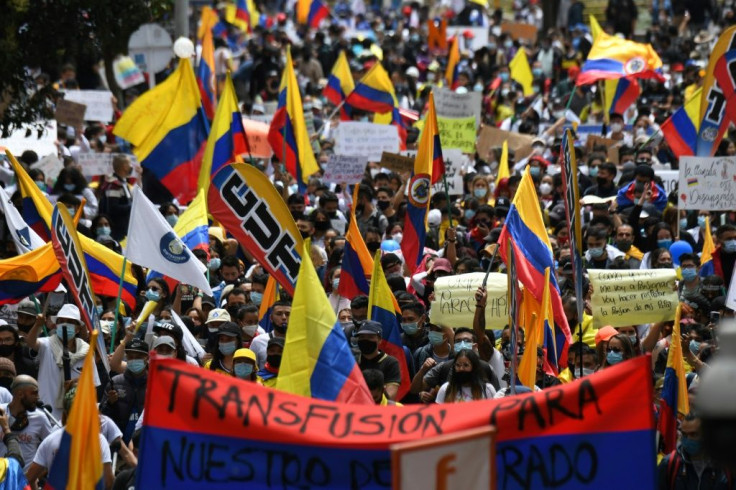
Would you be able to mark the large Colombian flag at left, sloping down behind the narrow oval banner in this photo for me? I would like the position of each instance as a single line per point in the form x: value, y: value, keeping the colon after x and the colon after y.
x: 104, y: 265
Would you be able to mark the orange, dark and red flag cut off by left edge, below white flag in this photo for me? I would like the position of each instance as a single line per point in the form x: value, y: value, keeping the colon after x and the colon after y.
x: 27, y: 274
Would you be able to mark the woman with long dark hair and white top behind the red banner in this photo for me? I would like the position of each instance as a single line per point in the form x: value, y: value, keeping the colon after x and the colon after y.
x: 467, y: 381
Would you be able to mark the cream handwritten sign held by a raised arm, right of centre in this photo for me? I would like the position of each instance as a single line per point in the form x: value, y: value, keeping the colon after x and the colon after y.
x: 454, y: 303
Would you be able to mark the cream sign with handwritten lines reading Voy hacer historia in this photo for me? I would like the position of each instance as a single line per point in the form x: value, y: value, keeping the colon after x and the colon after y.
x: 632, y: 297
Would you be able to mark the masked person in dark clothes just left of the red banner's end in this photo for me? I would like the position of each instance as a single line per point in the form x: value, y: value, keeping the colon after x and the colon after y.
x: 125, y: 395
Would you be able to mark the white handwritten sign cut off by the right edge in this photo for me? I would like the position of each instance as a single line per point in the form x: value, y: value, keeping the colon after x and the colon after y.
x: 707, y: 183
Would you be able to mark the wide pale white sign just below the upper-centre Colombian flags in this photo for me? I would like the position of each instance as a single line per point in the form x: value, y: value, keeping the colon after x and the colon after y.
x: 366, y: 139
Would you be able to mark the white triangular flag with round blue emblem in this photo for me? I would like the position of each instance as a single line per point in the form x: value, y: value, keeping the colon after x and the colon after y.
x: 152, y: 243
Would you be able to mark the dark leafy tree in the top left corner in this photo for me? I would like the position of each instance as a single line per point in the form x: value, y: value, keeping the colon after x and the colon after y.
x: 45, y: 34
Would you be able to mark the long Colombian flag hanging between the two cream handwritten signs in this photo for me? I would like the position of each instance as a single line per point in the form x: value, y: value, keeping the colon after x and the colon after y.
x: 525, y: 228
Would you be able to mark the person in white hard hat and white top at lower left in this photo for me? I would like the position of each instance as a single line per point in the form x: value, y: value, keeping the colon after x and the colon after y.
x: 50, y: 351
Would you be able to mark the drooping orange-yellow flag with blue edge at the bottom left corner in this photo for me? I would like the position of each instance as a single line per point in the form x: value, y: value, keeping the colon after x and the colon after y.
x: 78, y: 462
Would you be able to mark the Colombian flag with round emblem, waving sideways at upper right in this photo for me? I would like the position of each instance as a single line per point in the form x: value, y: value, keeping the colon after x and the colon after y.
x: 612, y: 57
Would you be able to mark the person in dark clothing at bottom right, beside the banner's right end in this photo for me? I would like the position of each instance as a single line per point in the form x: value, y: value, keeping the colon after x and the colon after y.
x: 688, y: 466
